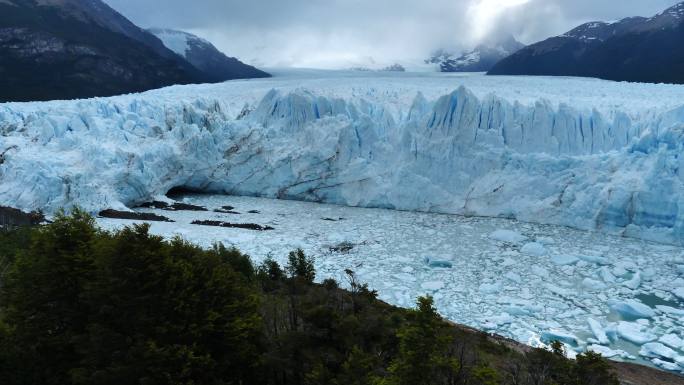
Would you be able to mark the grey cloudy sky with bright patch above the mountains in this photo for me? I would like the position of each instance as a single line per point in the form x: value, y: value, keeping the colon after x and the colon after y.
x: 344, y: 33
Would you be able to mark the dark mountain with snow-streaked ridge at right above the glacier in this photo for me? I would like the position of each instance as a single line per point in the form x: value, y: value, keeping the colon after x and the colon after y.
x: 633, y: 49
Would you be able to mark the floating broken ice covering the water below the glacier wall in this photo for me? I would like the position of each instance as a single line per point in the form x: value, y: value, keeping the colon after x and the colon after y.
x: 620, y: 297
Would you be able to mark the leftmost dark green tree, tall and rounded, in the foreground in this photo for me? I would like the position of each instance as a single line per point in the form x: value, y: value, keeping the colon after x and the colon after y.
x: 42, y: 297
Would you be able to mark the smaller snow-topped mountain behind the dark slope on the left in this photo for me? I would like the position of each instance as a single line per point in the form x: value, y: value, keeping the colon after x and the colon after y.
x: 204, y: 56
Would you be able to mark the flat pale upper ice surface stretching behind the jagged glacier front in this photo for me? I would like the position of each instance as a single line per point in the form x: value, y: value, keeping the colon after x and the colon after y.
x: 636, y: 99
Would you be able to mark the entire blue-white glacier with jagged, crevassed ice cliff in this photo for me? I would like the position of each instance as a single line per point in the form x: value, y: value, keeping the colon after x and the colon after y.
x: 426, y: 143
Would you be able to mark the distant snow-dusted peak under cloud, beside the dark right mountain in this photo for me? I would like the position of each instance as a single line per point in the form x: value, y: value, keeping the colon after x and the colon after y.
x: 480, y: 59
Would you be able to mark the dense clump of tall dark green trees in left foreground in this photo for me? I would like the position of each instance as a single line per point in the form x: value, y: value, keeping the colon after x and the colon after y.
x: 81, y: 306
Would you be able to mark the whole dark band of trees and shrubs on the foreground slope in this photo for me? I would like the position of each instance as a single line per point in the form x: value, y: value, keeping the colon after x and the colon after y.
x: 79, y: 305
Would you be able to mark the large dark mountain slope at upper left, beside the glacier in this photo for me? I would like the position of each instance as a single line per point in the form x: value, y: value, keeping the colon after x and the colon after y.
x: 65, y: 49
